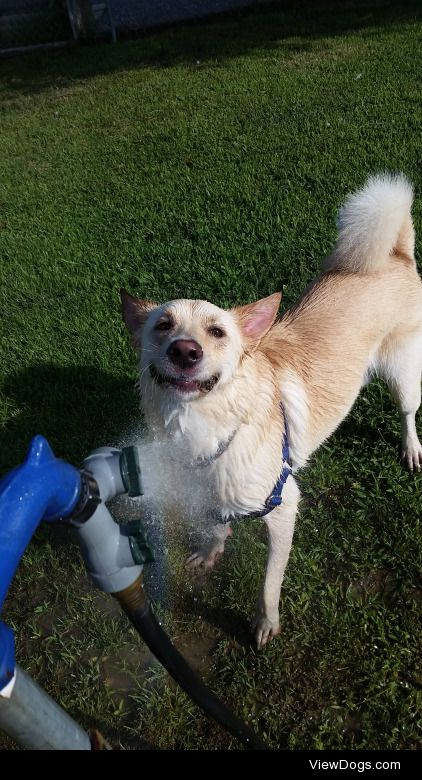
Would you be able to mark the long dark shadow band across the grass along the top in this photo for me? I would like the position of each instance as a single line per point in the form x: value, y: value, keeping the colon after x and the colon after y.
x: 213, y: 40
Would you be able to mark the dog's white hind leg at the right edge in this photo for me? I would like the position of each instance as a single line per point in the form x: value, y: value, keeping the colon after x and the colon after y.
x: 399, y: 362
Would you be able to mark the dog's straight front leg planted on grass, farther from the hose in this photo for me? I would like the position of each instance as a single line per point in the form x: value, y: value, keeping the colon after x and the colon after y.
x: 280, y: 526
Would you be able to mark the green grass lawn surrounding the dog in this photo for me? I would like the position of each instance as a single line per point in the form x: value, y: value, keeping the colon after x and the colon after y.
x: 209, y: 161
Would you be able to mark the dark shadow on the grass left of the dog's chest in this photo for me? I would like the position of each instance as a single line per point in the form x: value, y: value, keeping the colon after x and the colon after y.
x: 77, y: 408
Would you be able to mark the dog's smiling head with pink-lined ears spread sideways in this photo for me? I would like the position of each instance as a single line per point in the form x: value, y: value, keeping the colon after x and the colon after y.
x: 190, y: 348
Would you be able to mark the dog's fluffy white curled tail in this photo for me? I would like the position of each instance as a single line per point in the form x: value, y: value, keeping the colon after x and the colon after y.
x: 374, y: 224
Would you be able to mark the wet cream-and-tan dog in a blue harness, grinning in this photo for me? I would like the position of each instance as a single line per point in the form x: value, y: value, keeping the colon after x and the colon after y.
x: 240, y: 400
